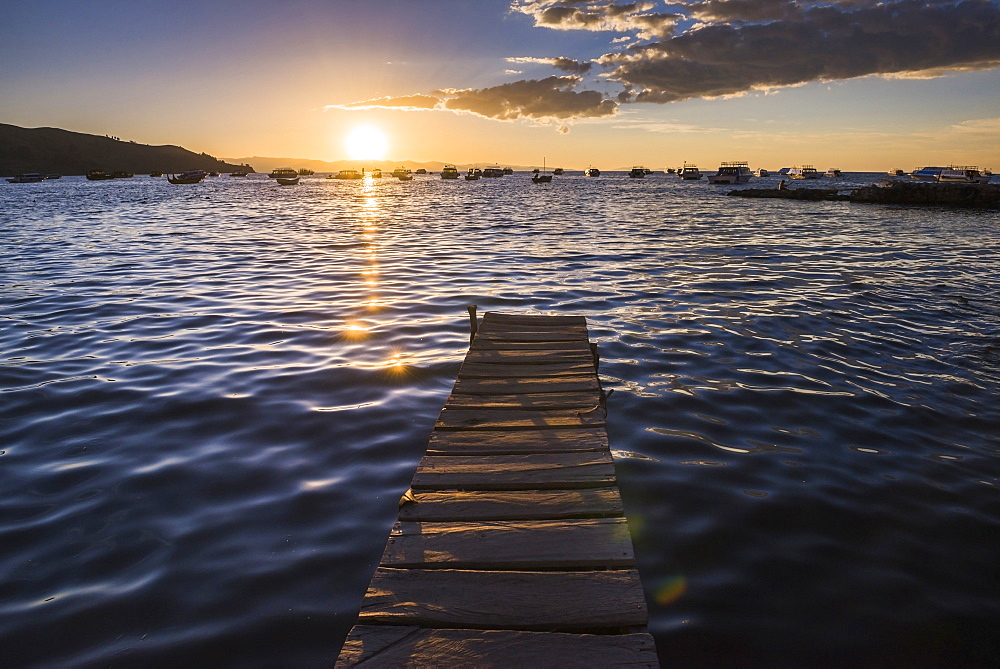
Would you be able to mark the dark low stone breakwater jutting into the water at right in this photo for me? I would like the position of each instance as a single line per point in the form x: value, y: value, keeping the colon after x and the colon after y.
x: 984, y: 196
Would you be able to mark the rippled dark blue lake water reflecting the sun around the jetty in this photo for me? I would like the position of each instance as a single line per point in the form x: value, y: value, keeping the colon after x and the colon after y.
x: 212, y: 397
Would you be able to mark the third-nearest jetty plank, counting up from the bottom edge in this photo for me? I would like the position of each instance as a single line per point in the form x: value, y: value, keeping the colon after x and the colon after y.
x: 588, y: 543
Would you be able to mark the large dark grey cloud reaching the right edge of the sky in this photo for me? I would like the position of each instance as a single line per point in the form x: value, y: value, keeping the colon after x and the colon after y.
x: 820, y: 43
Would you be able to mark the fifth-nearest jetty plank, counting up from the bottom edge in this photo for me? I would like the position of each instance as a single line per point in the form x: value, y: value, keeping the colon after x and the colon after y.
x: 515, y: 472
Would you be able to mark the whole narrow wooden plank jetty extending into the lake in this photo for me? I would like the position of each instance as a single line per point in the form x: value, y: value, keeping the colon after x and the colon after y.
x: 512, y: 547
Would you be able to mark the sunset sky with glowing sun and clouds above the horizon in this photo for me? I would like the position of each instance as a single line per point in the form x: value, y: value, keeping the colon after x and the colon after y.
x: 854, y: 84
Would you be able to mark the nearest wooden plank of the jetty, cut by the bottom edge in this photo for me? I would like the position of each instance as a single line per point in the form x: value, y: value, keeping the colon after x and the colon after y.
x: 405, y: 646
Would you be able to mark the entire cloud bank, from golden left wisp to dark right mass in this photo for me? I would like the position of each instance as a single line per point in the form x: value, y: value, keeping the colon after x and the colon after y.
x: 712, y: 48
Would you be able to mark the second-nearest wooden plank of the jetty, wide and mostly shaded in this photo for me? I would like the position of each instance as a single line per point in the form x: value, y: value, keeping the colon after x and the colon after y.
x: 515, y: 600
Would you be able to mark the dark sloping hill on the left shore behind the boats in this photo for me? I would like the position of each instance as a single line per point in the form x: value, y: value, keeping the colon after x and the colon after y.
x: 55, y: 151
